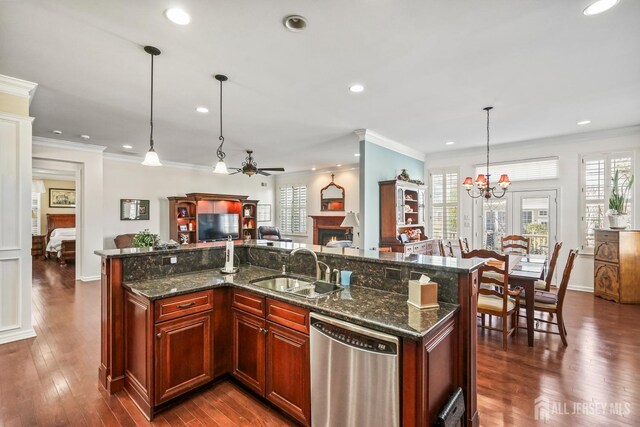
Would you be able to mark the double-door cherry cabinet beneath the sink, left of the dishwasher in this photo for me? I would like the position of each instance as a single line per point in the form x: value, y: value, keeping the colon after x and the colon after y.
x: 271, y: 351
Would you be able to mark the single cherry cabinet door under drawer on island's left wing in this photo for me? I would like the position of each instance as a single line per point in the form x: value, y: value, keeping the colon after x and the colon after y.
x: 183, y: 356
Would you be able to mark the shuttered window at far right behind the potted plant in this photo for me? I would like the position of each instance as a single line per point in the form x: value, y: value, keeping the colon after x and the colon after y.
x: 597, y: 170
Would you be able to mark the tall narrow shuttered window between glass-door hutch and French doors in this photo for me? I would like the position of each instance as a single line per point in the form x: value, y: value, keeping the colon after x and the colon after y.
x: 444, y: 204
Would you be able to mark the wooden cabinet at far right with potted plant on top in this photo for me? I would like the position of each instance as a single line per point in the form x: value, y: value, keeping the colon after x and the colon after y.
x: 617, y: 265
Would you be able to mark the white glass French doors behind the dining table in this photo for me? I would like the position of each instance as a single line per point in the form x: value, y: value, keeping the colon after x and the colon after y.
x: 532, y: 214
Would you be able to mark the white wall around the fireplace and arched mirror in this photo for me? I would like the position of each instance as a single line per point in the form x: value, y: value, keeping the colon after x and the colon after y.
x: 347, y: 177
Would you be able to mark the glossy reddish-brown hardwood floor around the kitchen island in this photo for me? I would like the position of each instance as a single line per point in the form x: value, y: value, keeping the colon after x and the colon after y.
x: 52, y: 379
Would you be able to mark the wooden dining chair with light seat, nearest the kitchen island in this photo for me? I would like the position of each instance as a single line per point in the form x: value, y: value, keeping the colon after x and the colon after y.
x: 495, y: 298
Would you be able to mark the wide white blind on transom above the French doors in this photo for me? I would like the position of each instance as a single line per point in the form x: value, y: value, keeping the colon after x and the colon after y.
x: 524, y: 170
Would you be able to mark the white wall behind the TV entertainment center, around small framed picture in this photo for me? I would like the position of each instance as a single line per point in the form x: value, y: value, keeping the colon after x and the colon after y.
x: 128, y: 179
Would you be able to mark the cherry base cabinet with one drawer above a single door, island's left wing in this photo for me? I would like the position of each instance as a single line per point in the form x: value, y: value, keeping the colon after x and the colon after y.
x: 168, y: 347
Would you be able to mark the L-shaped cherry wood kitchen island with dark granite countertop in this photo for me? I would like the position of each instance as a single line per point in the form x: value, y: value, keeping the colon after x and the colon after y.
x: 157, y: 302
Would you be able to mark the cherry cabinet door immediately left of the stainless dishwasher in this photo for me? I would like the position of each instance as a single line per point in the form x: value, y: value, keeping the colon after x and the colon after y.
x: 288, y: 383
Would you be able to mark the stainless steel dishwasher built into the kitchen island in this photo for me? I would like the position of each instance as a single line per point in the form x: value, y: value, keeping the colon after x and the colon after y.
x: 355, y: 375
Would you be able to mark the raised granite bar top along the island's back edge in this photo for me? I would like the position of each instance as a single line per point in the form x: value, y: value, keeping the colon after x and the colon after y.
x: 441, y: 263
